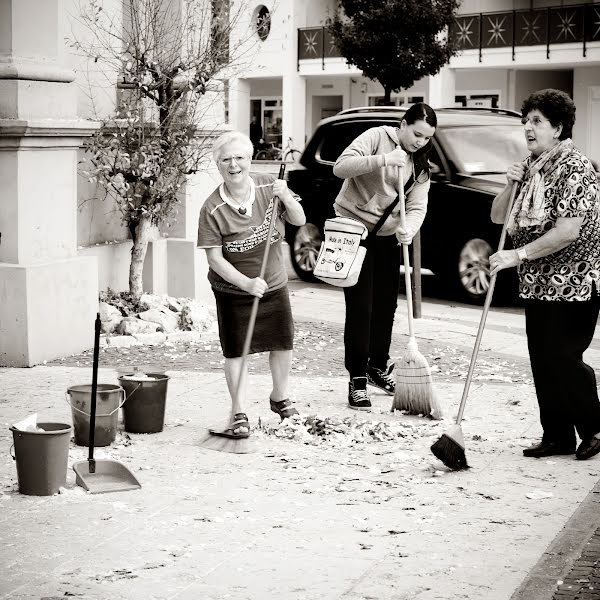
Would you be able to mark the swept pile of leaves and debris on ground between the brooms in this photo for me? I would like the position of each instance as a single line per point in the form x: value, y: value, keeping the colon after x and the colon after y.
x: 340, y: 432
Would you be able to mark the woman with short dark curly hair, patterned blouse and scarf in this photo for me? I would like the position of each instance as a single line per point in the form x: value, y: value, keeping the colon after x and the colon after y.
x: 555, y: 227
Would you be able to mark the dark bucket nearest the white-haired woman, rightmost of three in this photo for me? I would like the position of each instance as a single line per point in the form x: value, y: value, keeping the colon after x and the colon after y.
x: 145, y: 402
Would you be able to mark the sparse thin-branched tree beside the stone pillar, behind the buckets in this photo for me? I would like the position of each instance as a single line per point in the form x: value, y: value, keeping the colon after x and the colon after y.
x: 166, y: 56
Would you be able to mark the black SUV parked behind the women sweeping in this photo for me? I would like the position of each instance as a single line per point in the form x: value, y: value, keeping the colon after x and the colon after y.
x: 472, y: 148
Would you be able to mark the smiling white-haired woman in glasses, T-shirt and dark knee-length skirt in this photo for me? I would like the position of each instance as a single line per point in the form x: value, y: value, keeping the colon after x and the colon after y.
x: 233, y: 229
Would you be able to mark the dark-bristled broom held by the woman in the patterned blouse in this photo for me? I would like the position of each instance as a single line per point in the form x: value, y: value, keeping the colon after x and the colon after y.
x: 450, y: 448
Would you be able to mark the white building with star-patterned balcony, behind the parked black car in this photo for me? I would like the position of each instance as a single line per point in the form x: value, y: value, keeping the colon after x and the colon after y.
x: 509, y: 48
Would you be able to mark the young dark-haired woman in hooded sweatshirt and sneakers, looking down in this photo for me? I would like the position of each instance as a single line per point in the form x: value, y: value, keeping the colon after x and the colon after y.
x: 372, y: 168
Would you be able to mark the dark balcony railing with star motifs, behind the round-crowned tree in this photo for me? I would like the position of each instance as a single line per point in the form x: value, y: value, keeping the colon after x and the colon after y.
x: 509, y: 29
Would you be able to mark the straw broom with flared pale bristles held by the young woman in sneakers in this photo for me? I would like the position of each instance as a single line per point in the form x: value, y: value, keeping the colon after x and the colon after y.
x: 414, y: 385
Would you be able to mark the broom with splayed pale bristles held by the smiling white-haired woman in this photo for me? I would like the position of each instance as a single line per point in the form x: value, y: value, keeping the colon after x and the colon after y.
x: 245, y: 445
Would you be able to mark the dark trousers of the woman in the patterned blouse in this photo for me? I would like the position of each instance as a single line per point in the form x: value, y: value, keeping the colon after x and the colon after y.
x: 558, y: 333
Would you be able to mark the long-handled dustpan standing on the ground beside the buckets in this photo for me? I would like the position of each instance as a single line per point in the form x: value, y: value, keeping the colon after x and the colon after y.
x: 100, y: 476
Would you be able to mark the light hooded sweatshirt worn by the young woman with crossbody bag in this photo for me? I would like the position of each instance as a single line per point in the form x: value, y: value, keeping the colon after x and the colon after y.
x: 369, y: 187
